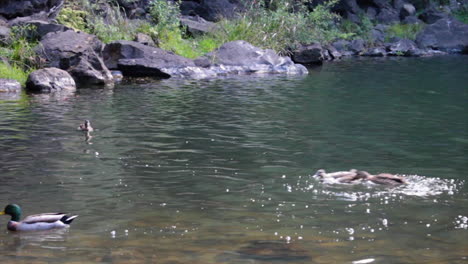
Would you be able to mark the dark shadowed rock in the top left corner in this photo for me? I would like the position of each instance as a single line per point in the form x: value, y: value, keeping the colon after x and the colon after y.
x: 14, y: 8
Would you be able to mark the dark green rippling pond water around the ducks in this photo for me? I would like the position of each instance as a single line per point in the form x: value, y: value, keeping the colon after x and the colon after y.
x: 221, y: 171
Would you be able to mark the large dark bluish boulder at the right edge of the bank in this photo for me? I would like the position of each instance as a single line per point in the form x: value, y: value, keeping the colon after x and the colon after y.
x: 447, y: 34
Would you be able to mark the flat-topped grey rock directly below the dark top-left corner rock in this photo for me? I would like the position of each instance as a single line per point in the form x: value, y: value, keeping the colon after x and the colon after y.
x: 40, y: 27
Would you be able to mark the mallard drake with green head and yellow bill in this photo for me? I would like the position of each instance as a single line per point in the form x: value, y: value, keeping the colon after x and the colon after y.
x: 36, y: 222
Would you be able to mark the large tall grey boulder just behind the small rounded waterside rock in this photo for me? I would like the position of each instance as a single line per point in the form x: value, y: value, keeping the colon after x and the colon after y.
x: 78, y: 53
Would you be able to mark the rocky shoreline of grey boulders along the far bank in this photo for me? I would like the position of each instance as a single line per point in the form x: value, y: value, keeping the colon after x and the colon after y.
x: 74, y: 59
